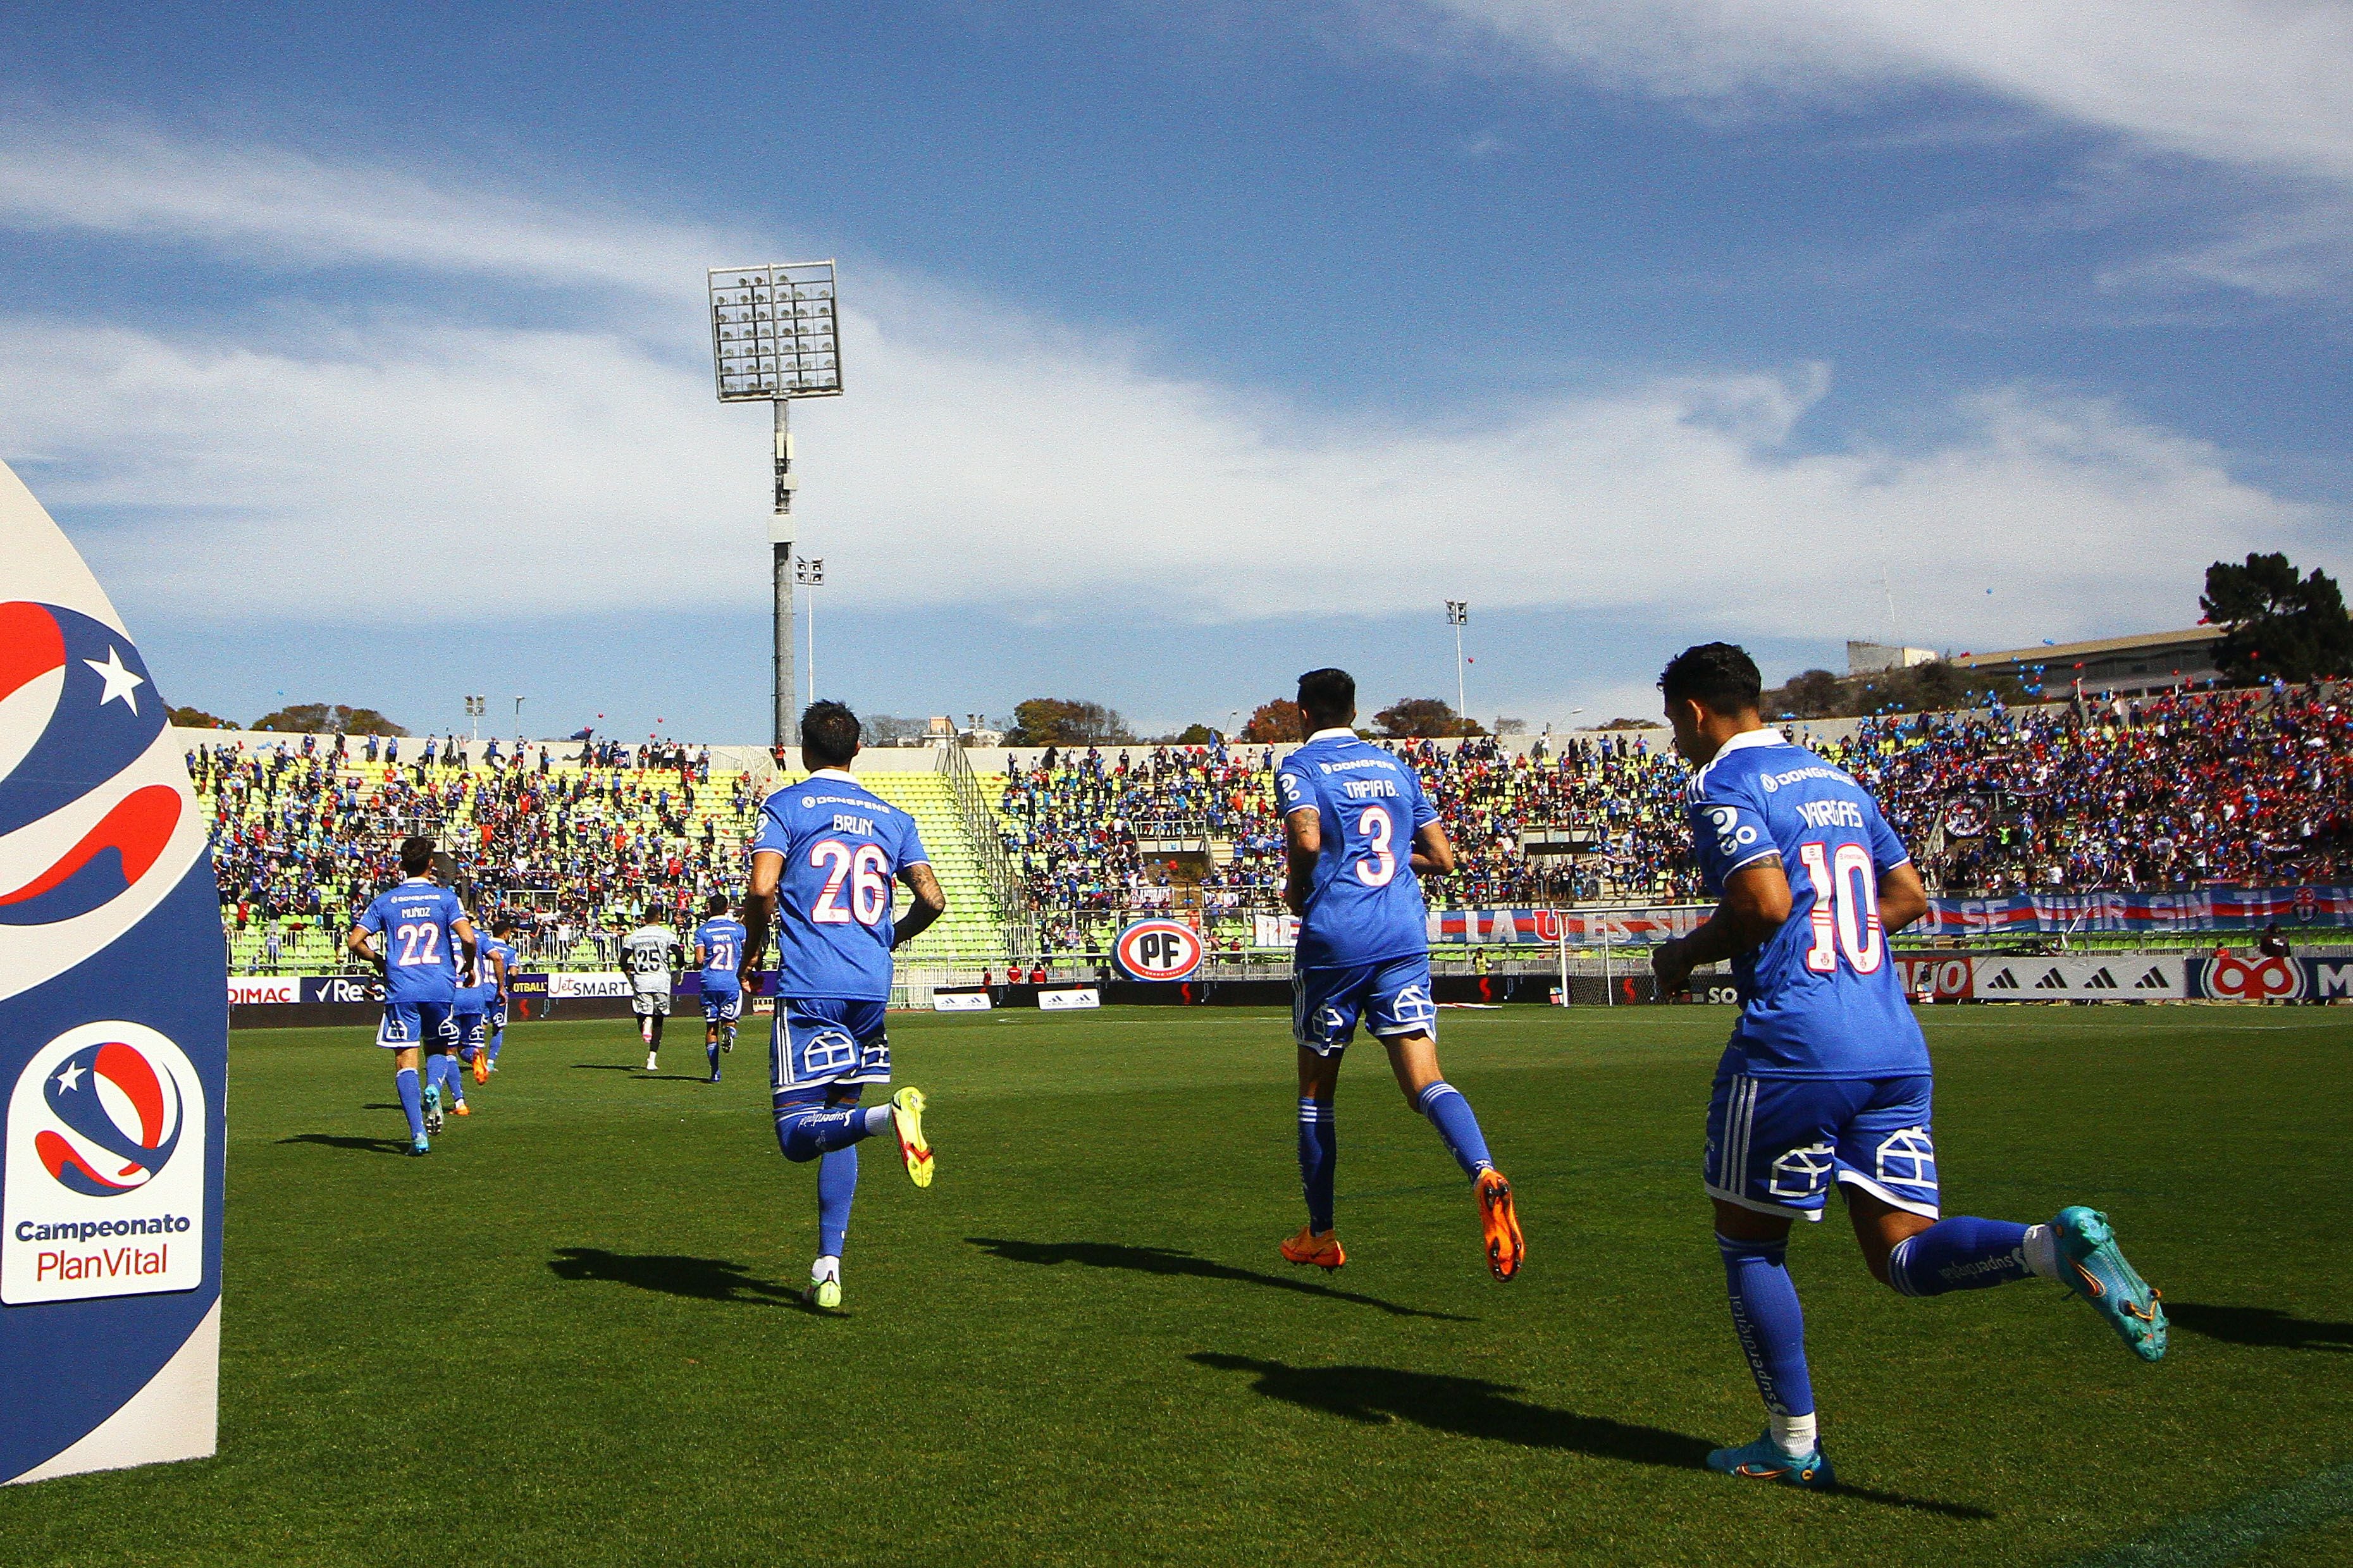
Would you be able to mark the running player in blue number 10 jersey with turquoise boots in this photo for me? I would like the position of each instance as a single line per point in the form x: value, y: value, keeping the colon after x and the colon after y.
x: 1827, y: 1079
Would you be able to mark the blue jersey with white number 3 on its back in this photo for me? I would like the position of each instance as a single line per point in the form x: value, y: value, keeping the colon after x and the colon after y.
x: 1366, y: 901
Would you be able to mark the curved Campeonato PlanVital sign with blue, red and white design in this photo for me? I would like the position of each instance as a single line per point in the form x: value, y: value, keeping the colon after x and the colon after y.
x: 114, y: 1037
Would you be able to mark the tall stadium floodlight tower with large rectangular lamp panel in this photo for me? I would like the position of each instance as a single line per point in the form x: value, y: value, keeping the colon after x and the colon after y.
x: 775, y: 338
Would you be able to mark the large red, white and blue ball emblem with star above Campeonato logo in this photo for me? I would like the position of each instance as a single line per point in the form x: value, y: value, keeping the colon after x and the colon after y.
x: 76, y: 707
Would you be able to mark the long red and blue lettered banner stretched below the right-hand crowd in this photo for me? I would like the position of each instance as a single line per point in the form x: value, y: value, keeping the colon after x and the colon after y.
x: 2029, y: 915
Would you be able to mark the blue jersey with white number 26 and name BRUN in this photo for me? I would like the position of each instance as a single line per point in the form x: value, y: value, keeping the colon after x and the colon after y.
x: 841, y: 851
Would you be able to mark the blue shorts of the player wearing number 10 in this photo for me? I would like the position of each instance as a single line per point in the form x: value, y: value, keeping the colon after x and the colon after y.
x: 1775, y: 1145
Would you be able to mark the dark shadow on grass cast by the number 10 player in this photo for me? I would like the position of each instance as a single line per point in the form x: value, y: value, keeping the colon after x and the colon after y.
x: 1474, y: 1407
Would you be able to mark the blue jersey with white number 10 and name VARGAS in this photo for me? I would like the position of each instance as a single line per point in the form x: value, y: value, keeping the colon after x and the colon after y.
x: 1822, y: 997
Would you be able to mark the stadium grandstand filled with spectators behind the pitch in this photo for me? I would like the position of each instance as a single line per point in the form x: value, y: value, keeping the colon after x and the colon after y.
x: 1055, y: 849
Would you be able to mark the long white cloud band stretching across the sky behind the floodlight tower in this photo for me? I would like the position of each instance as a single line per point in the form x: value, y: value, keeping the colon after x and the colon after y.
x: 326, y: 463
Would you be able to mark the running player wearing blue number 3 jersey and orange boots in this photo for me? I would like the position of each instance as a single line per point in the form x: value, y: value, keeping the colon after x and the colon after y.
x: 1359, y: 835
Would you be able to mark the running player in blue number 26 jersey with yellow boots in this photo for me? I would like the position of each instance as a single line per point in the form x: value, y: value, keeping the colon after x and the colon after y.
x: 822, y: 875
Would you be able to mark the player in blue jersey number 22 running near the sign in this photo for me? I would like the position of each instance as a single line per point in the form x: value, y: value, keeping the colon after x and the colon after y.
x: 418, y: 936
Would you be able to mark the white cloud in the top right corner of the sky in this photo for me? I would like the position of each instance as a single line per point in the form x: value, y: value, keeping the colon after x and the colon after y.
x: 2253, y: 84
